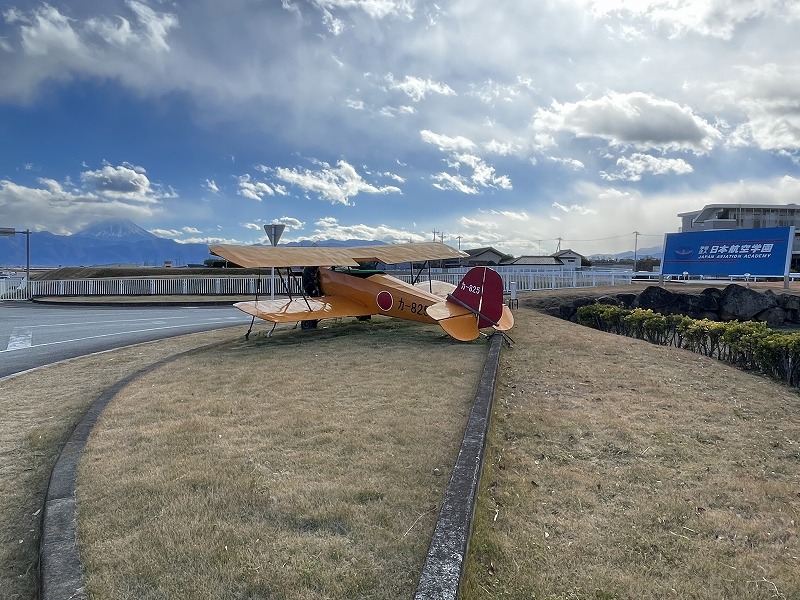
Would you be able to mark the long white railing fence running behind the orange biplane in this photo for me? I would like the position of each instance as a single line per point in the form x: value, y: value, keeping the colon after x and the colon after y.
x: 526, y: 280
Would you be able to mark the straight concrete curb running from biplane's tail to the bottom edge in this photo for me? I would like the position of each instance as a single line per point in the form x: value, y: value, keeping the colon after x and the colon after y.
x: 447, y: 553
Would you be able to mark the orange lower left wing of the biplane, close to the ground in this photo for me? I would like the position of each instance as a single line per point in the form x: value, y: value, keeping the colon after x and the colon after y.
x: 299, y: 309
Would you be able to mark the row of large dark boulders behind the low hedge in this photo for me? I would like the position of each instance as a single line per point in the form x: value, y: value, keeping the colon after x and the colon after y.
x: 733, y: 303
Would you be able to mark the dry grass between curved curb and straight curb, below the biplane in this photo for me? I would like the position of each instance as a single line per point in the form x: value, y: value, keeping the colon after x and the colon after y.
x: 307, y: 465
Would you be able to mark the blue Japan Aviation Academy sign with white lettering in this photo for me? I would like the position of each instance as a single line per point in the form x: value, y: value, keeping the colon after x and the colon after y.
x: 763, y: 252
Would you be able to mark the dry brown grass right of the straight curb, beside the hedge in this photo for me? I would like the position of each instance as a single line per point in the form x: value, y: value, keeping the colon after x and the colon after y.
x: 617, y: 469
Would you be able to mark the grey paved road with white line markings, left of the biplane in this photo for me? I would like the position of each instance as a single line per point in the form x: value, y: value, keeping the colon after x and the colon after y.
x: 33, y: 335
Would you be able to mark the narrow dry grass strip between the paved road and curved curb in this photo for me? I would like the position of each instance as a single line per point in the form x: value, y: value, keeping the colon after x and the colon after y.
x: 39, y: 410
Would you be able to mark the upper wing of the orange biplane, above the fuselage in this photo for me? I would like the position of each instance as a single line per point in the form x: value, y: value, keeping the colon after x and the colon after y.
x: 301, y: 256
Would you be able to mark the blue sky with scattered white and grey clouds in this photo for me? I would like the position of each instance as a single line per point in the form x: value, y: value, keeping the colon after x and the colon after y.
x: 528, y: 126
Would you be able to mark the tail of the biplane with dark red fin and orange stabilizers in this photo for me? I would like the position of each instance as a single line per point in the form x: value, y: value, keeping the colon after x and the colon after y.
x: 475, y: 303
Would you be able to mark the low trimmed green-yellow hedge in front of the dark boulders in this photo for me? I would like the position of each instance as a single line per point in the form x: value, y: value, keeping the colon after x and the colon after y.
x: 747, y: 345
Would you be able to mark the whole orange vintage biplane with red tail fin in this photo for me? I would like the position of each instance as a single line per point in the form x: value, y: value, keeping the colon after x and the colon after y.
x: 342, y: 282
